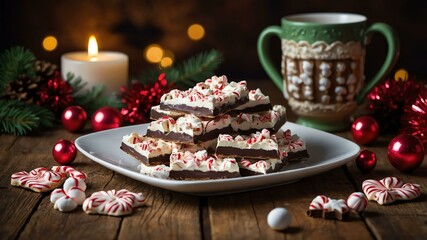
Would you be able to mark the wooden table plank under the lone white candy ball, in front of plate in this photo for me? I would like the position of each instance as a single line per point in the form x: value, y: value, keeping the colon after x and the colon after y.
x: 242, y: 216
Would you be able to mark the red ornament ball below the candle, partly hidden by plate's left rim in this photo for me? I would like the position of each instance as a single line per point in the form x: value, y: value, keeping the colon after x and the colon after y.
x: 106, y: 118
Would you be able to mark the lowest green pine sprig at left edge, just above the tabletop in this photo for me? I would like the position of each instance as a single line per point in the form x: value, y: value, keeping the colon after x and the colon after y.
x: 20, y: 118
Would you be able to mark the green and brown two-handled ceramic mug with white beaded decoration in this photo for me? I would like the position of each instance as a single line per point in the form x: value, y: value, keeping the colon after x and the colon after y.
x: 323, y: 57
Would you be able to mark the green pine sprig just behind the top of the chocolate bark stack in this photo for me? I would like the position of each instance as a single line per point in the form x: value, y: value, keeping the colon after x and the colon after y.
x: 189, y: 72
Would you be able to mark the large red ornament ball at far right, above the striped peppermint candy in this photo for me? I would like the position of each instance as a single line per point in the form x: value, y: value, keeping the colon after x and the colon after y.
x: 405, y: 152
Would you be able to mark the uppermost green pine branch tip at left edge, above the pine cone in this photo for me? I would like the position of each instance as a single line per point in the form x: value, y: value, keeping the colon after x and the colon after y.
x: 14, y: 62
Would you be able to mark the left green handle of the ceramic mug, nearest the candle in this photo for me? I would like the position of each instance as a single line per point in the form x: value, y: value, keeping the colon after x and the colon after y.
x: 264, y: 56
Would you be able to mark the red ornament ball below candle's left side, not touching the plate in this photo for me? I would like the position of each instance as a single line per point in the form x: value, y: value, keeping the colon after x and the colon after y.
x: 74, y: 118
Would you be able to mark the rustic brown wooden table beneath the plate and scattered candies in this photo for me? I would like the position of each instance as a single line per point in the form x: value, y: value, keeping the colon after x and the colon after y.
x: 170, y: 215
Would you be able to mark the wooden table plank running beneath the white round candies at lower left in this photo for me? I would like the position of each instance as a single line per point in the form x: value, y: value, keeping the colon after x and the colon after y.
x: 77, y: 224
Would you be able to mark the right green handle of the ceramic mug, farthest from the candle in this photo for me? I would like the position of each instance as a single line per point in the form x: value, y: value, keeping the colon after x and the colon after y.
x: 390, y: 60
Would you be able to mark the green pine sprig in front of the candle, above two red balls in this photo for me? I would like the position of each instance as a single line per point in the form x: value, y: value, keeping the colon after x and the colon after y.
x: 91, y: 99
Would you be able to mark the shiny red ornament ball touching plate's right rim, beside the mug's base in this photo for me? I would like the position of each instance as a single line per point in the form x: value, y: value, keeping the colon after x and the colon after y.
x: 365, y: 130
